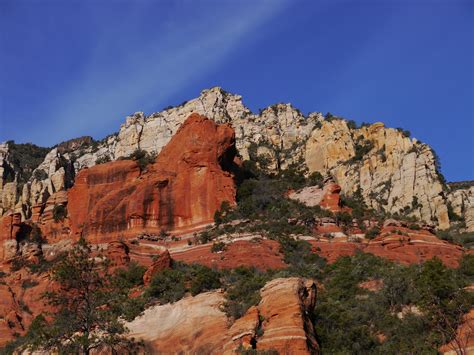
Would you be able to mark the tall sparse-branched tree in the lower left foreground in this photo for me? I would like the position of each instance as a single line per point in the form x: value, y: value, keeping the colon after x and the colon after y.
x: 88, y: 305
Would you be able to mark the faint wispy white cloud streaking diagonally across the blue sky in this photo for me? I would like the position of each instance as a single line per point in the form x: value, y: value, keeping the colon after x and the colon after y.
x: 148, y: 73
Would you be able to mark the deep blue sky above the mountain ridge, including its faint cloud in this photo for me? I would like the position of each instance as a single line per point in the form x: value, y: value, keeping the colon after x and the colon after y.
x: 70, y: 68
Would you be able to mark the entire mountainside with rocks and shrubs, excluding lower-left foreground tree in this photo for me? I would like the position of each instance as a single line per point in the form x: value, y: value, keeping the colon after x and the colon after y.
x: 239, y: 232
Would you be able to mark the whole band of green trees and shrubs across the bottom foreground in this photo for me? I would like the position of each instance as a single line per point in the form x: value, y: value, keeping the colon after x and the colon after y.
x: 415, y: 308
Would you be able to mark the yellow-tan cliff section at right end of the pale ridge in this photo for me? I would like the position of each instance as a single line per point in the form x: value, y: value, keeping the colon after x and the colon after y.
x: 392, y: 171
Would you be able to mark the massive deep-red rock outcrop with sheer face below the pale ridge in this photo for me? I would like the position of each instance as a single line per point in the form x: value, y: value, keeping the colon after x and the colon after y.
x: 181, y: 190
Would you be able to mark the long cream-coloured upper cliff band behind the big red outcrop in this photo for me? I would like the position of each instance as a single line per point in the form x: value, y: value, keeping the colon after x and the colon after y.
x: 392, y: 171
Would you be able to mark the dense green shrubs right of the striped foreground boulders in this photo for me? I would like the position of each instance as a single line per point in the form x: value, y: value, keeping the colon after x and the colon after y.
x: 350, y: 319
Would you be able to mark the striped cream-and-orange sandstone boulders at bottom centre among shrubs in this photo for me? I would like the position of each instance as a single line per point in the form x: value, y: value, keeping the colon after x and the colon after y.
x: 197, y: 324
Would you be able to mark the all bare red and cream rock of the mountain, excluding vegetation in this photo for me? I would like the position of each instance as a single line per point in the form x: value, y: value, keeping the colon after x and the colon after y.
x: 128, y: 210
